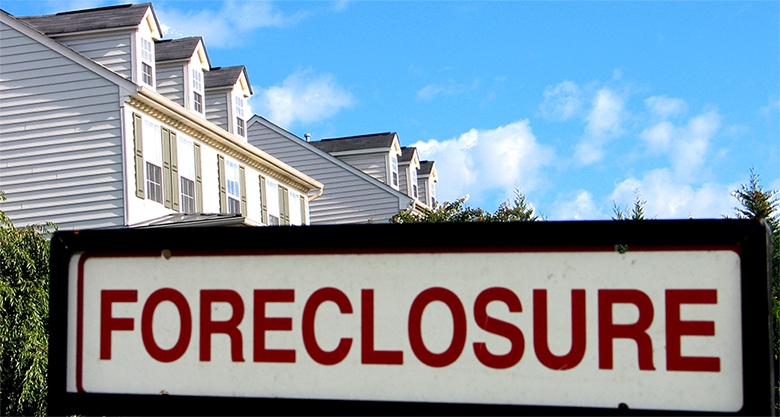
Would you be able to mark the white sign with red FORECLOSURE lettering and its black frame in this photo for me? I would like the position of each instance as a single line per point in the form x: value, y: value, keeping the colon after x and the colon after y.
x: 647, y: 315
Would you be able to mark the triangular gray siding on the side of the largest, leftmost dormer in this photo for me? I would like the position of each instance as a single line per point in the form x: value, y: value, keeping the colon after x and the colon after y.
x: 112, y: 50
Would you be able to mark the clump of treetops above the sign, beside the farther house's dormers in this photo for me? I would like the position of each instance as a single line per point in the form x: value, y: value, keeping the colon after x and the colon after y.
x: 518, y: 210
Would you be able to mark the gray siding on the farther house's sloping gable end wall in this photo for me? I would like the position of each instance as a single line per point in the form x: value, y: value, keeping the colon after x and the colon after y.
x: 346, y: 198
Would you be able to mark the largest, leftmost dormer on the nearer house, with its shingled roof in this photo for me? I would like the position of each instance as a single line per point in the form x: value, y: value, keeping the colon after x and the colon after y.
x: 121, y: 38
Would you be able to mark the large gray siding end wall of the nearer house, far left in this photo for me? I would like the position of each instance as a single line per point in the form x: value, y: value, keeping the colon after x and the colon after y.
x: 60, y: 139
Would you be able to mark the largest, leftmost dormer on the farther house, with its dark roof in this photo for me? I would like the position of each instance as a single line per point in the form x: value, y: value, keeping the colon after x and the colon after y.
x: 376, y: 155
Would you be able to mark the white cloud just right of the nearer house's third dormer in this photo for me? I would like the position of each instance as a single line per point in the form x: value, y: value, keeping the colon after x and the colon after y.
x: 303, y: 97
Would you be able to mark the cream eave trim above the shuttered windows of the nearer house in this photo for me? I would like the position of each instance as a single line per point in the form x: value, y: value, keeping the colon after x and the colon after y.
x: 223, y: 140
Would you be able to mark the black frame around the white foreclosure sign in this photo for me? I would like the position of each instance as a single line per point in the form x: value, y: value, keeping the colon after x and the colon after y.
x: 751, y: 236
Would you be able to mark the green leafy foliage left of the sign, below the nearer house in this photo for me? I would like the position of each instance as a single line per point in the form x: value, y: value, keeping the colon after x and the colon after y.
x: 24, y: 317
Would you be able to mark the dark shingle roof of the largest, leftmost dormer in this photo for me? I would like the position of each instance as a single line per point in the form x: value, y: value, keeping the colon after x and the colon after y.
x: 112, y: 17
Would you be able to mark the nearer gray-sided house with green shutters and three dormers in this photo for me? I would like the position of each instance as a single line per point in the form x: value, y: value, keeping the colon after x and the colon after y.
x: 99, y: 130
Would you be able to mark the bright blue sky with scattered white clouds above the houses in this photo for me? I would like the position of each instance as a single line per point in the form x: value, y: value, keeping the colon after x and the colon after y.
x: 578, y: 104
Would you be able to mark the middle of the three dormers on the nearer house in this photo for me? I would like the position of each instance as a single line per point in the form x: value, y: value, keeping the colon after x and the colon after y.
x: 181, y: 64
